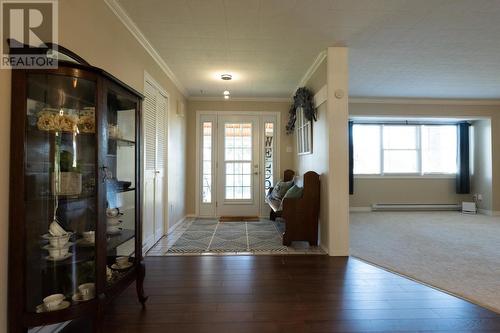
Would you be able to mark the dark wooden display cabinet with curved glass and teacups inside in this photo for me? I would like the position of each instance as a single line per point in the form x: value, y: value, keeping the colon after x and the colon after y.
x: 75, y: 160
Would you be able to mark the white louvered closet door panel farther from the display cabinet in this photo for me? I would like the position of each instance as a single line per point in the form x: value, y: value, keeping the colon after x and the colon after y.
x: 160, y: 164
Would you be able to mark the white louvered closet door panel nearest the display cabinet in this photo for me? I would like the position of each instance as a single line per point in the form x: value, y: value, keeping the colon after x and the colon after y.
x: 149, y: 114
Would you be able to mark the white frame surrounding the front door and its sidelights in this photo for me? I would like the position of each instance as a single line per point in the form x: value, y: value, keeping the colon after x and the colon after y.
x: 262, y: 115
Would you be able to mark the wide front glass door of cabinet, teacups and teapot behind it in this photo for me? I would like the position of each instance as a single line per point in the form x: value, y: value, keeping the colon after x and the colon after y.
x: 60, y: 192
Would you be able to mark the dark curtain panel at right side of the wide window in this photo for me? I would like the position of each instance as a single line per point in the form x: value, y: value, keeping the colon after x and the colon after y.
x: 463, y: 172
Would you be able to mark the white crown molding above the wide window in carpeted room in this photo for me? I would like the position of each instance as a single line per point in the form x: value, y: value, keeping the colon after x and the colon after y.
x: 424, y: 101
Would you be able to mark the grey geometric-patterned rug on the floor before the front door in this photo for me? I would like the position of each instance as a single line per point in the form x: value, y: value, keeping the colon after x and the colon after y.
x: 204, y: 236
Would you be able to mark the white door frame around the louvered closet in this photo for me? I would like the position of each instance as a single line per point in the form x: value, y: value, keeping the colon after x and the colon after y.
x: 148, y: 79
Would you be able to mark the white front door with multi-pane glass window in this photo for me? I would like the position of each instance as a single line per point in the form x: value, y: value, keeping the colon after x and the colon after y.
x: 238, y: 166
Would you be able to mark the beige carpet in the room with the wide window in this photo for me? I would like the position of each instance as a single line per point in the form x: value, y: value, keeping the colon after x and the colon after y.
x: 451, y: 251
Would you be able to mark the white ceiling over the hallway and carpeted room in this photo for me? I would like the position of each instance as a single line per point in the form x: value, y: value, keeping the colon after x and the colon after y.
x: 398, y: 48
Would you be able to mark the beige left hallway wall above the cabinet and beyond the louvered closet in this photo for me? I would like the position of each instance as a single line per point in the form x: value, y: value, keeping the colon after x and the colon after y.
x: 105, y: 42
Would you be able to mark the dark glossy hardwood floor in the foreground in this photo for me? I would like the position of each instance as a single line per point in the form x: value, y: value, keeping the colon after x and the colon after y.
x: 287, y: 294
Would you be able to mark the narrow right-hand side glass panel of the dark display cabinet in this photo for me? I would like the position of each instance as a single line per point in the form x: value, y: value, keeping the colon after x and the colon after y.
x: 120, y: 184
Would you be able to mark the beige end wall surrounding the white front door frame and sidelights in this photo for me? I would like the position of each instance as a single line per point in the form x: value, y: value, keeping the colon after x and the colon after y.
x: 286, y: 158
